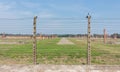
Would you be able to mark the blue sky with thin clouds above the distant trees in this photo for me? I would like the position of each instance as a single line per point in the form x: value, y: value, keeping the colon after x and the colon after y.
x: 59, y: 16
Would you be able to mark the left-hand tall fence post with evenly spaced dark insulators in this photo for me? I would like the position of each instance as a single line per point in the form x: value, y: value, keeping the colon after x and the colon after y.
x: 34, y: 41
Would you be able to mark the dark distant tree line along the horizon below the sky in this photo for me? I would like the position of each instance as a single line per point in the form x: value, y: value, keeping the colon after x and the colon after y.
x: 66, y: 35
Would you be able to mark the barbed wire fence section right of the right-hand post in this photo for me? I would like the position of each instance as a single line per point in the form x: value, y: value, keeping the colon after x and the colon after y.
x: 105, y: 45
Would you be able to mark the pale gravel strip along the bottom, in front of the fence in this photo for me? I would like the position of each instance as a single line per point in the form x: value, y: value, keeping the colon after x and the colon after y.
x: 58, y: 68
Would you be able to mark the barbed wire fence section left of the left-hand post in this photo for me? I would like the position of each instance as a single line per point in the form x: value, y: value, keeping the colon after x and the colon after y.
x: 16, y: 40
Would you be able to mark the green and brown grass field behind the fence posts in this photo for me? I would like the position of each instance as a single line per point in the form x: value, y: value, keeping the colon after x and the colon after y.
x: 48, y: 52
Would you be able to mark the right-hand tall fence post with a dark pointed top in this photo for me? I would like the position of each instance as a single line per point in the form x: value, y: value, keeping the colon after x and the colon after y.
x: 89, y: 42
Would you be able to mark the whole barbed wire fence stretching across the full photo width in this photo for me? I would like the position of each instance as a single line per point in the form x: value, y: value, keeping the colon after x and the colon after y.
x: 16, y: 41
